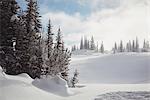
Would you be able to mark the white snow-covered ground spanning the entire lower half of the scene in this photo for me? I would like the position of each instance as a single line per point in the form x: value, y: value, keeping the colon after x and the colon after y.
x: 97, y: 73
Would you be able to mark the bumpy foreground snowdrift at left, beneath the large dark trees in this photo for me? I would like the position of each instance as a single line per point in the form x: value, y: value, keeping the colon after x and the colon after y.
x: 23, y: 87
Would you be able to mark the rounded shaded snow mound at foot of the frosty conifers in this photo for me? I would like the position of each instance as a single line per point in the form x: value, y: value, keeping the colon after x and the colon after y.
x: 55, y: 85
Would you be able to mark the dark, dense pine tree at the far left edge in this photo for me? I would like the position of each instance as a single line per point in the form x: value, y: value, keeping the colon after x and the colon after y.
x: 8, y: 18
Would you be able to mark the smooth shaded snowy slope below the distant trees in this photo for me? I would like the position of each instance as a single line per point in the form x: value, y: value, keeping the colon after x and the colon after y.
x: 112, y: 68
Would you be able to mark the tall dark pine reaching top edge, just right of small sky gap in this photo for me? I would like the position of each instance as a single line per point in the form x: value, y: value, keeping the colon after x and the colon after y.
x: 33, y: 26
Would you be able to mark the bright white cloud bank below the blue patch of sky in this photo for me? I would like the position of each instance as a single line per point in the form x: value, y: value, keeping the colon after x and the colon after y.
x: 125, y: 22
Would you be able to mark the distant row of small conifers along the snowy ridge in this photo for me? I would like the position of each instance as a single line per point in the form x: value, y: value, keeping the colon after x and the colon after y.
x: 131, y: 46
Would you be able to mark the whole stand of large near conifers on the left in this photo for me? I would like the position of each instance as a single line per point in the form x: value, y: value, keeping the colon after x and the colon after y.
x: 22, y: 47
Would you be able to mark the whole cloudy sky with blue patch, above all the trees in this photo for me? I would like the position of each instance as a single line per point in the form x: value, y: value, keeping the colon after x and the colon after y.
x: 107, y: 20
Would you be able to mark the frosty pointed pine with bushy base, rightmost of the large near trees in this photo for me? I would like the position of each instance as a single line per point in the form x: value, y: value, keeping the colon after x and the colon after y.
x: 59, y: 59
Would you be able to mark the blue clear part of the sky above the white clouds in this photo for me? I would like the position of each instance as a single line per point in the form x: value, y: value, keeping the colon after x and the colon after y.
x: 68, y: 6
